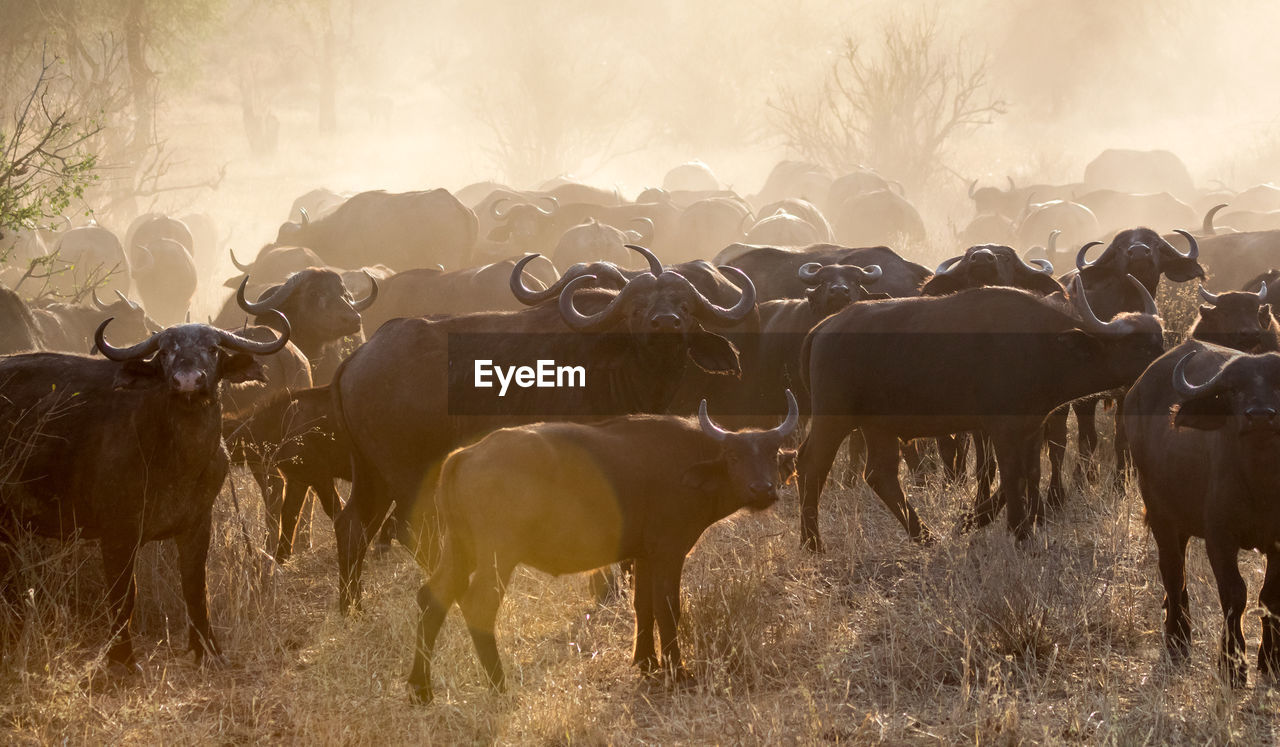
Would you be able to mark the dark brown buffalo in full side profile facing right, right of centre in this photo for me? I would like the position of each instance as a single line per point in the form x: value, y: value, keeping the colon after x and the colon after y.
x: 936, y: 366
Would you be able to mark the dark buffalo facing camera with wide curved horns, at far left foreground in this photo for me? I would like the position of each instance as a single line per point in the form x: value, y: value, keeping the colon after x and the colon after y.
x: 127, y: 451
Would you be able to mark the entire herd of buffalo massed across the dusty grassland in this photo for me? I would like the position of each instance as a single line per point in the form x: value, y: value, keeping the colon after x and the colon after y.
x: 354, y: 345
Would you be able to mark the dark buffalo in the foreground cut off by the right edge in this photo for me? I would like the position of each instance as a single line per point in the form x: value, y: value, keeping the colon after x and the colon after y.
x: 1205, y: 437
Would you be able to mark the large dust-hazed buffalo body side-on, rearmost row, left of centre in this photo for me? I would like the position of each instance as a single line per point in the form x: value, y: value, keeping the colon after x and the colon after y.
x: 401, y: 231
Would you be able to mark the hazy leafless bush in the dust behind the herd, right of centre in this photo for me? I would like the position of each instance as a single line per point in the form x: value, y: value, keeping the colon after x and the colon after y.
x: 894, y: 112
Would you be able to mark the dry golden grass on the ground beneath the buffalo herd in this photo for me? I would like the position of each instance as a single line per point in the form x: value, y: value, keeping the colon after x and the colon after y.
x: 972, y: 640
